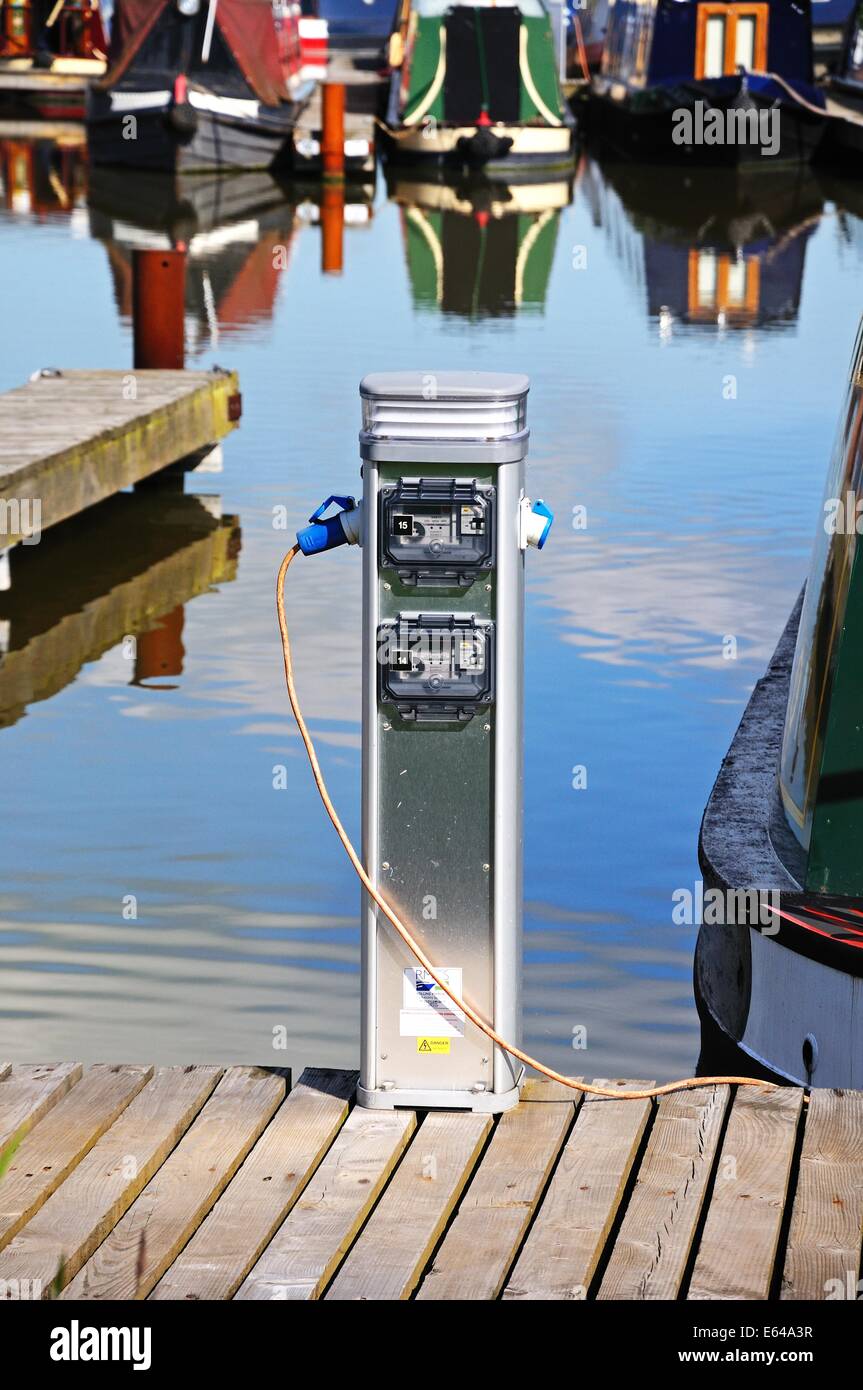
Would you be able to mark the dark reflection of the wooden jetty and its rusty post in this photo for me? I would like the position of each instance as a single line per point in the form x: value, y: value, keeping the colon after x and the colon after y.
x: 123, y: 571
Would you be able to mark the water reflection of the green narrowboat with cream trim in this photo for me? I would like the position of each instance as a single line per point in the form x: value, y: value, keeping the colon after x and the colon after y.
x: 480, y: 248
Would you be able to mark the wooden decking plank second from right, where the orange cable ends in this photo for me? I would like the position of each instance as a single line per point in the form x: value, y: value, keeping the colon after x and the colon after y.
x: 737, y: 1252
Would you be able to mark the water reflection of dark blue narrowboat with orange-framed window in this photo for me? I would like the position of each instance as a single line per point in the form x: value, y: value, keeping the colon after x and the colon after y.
x: 714, y: 250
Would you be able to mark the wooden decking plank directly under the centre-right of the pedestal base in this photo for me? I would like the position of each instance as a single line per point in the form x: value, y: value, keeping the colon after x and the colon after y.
x: 402, y: 1232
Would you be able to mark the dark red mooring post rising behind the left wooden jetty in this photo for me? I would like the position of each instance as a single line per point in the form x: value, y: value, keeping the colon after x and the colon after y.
x: 159, y: 306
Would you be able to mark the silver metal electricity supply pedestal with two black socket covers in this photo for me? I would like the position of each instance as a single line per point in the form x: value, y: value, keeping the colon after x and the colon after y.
x: 444, y: 528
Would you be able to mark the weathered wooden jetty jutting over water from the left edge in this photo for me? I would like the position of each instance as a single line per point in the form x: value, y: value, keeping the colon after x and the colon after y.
x: 73, y: 439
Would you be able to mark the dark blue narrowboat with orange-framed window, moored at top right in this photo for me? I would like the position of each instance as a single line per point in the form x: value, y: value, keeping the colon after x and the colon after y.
x: 698, y: 83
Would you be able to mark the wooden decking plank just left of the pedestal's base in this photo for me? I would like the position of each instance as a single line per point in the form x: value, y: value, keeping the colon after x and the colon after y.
x: 252, y: 1209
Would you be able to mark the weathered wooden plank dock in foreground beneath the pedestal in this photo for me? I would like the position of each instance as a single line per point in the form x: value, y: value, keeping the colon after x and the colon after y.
x: 201, y: 1184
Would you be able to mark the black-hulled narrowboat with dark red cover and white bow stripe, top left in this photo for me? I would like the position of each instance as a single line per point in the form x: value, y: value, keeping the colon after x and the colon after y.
x: 198, y: 85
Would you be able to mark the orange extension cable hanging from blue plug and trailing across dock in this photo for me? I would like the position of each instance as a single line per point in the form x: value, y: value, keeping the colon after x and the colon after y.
x: 690, y: 1084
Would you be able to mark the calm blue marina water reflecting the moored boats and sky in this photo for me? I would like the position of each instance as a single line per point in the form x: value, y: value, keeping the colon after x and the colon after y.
x: 687, y: 351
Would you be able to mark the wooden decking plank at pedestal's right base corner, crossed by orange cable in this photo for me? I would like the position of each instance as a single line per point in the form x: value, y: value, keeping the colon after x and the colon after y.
x: 483, y: 1242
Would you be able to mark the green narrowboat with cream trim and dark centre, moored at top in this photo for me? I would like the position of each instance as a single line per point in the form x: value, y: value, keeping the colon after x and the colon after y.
x: 476, y: 87
